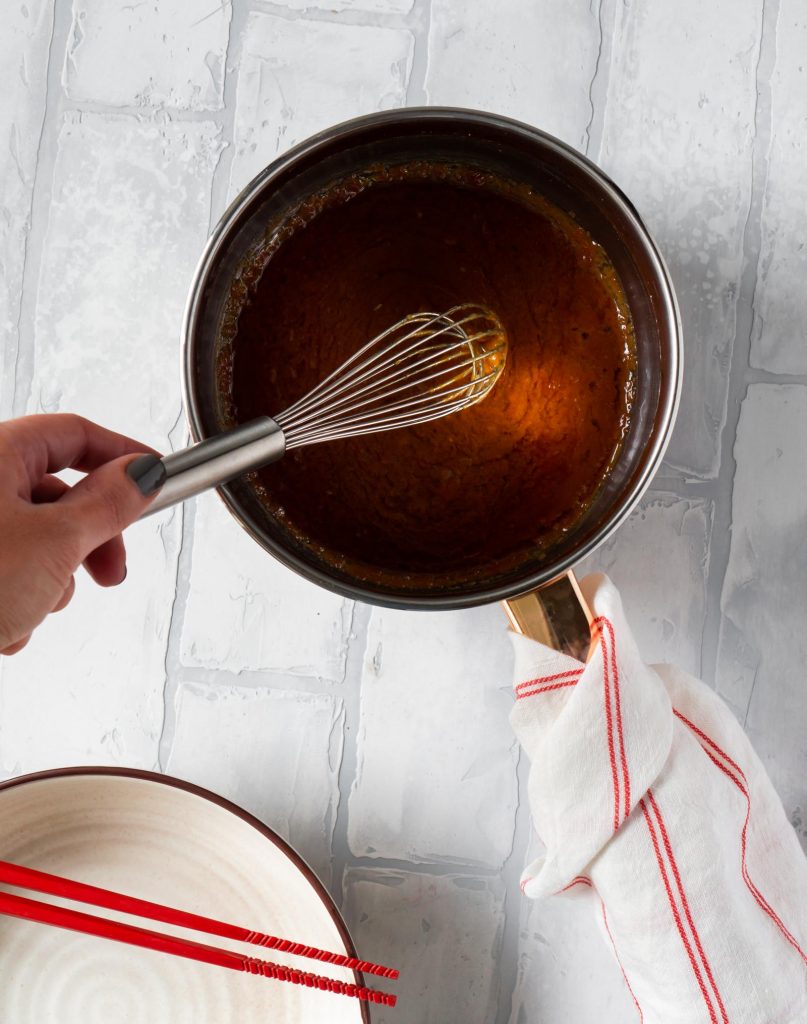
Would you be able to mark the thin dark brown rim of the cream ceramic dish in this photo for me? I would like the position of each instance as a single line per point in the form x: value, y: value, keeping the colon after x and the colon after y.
x: 173, y: 782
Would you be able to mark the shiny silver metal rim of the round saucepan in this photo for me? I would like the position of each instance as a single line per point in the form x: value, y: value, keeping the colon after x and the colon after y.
x: 669, y: 397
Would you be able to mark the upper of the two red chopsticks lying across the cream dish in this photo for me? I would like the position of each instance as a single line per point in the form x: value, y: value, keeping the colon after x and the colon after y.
x: 54, y: 885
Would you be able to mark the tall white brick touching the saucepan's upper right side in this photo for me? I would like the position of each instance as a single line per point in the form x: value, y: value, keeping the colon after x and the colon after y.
x: 679, y: 126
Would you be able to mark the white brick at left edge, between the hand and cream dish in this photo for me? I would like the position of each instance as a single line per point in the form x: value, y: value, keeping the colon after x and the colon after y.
x: 91, y: 692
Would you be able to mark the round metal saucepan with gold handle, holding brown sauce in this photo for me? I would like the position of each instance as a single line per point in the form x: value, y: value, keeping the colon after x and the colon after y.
x: 540, y: 594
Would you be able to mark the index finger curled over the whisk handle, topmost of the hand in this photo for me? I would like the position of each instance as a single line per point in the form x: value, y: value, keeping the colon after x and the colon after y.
x: 47, y: 444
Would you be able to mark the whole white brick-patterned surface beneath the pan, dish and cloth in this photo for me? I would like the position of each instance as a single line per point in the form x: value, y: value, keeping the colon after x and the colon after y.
x: 379, y: 742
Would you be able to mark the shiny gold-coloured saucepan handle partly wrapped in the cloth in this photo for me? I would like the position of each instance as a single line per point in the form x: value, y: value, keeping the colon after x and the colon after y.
x: 556, y: 615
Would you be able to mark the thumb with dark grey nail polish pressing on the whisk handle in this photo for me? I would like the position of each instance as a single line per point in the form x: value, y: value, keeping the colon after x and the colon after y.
x: 111, y: 498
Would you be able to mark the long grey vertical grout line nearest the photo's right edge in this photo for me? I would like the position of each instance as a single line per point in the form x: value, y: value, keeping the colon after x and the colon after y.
x: 740, y: 374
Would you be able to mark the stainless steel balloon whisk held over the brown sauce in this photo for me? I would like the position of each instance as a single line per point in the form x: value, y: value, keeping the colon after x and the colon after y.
x: 426, y: 367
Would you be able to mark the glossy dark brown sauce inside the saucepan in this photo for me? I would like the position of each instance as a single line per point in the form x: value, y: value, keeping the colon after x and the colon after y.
x: 492, y: 486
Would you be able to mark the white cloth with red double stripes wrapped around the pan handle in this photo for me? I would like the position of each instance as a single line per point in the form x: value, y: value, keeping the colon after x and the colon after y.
x: 654, y: 807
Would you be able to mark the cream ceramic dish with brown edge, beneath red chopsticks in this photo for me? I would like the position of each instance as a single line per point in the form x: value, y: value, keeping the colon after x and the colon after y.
x: 157, y: 838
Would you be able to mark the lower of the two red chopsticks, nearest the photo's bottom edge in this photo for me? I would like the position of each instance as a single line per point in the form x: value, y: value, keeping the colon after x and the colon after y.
x: 48, y: 914
